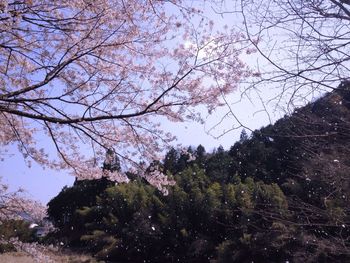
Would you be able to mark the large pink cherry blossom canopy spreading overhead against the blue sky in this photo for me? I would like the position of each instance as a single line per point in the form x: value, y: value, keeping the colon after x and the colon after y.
x: 101, y: 75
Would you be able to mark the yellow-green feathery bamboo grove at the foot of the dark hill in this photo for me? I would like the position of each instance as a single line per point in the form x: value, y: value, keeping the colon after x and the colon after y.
x: 134, y: 221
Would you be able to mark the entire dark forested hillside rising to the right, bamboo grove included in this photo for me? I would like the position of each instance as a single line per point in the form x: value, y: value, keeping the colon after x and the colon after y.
x: 281, y: 195
